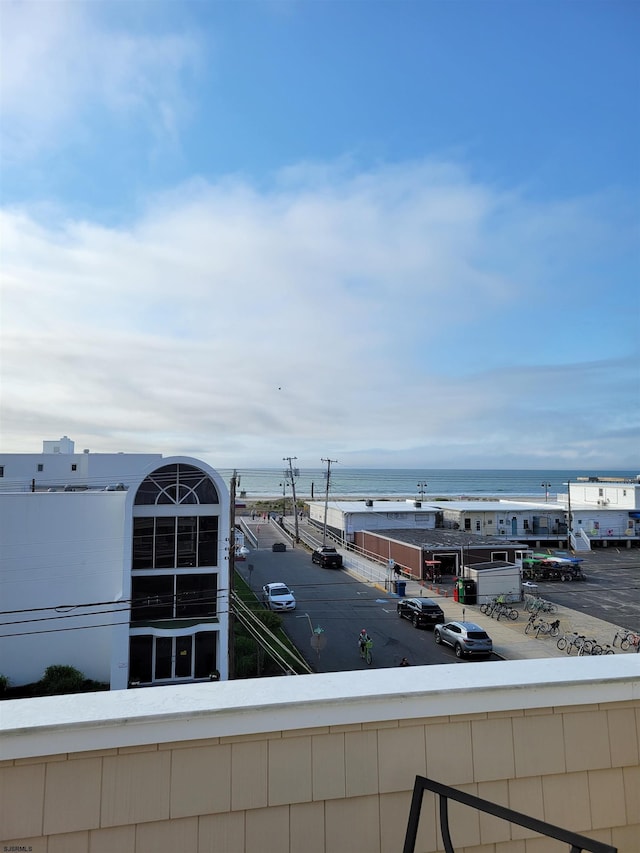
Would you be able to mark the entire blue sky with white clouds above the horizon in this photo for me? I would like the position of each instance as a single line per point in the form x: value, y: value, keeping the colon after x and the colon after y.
x: 393, y: 233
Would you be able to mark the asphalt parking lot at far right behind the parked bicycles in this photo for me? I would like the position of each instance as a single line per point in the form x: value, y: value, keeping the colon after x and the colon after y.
x: 611, y: 591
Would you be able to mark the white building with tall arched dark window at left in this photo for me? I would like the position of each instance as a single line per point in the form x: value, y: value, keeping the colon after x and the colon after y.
x: 123, y: 574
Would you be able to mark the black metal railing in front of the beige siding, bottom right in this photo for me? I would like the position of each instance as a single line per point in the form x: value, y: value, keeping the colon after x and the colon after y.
x: 575, y: 842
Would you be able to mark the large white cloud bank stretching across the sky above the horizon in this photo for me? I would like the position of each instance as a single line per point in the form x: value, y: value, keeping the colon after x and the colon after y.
x: 387, y: 310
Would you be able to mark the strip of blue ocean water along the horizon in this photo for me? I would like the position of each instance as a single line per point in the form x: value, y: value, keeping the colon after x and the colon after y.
x: 412, y: 483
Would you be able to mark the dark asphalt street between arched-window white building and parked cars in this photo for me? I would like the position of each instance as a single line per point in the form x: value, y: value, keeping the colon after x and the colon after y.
x: 340, y: 606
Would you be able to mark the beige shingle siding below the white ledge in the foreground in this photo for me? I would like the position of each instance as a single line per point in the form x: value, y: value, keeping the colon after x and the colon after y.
x: 341, y: 790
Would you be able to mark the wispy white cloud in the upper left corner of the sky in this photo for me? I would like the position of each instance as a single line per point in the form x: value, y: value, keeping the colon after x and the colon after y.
x: 62, y: 69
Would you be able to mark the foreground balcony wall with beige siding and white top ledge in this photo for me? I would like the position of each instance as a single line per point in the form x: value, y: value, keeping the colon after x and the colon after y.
x: 327, y: 763
